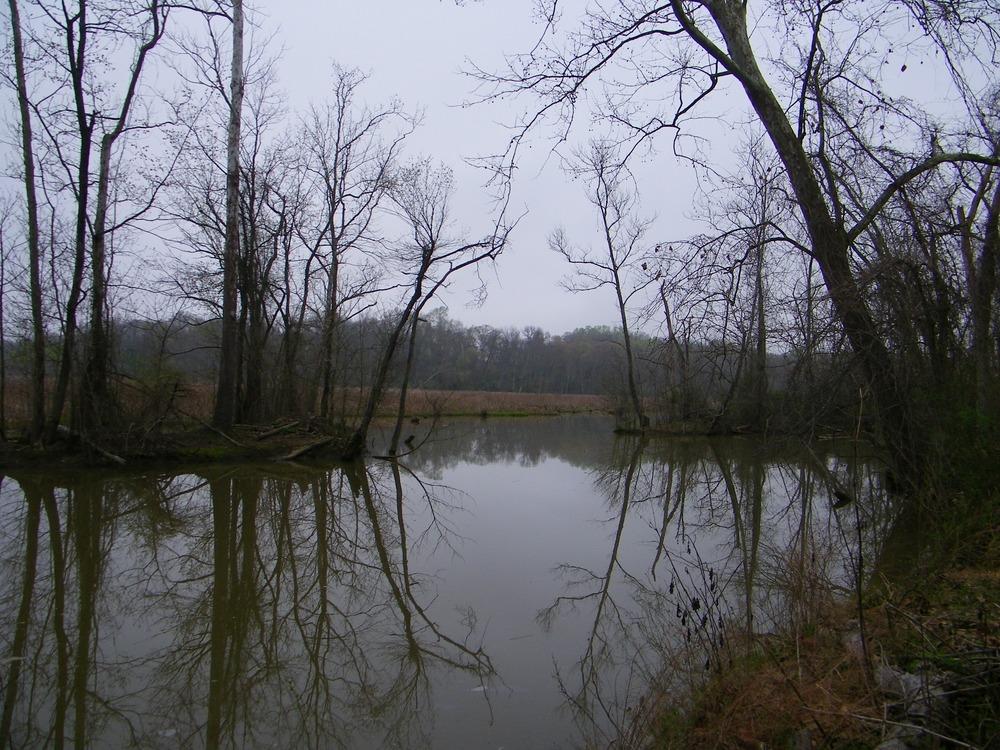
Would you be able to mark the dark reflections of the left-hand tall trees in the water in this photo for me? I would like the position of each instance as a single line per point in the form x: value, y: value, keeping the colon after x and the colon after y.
x: 232, y: 608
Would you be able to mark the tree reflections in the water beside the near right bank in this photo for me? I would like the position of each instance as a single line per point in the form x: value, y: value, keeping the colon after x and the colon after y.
x: 727, y: 542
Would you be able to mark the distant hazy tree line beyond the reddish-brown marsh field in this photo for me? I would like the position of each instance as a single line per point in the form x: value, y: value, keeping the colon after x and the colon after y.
x: 449, y: 356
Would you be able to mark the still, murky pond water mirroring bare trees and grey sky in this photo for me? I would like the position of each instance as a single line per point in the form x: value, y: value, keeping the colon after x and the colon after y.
x: 508, y: 584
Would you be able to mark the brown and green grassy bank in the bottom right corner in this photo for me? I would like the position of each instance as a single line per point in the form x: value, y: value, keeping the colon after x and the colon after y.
x: 915, y: 665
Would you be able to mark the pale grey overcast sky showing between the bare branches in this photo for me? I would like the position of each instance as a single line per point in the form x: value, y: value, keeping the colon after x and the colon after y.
x: 421, y: 50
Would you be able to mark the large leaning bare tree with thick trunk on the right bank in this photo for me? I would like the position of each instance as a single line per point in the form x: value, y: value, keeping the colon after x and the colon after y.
x: 681, y: 52
